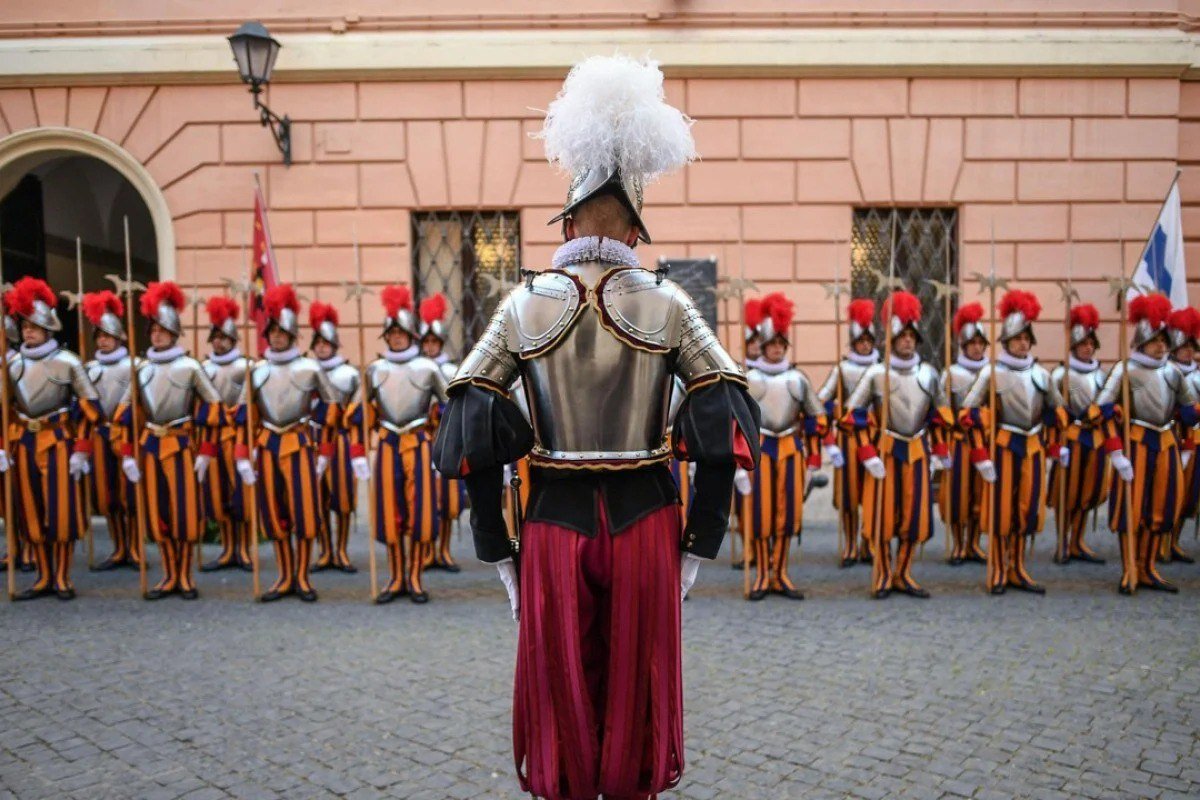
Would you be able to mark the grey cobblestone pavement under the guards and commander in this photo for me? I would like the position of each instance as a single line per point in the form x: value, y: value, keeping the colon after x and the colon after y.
x: 1081, y: 694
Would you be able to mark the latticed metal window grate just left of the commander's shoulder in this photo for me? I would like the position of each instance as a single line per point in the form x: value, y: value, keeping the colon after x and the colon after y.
x: 471, y: 257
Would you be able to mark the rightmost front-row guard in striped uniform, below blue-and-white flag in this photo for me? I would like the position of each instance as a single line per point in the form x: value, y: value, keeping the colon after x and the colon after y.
x: 1160, y: 399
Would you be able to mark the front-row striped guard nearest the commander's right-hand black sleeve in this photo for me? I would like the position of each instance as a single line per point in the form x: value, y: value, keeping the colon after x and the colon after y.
x: 794, y: 424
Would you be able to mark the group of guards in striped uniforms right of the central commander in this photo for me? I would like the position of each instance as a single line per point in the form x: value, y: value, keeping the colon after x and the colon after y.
x: 940, y: 424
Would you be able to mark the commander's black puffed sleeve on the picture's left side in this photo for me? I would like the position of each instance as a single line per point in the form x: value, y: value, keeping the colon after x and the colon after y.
x: 481, y: 432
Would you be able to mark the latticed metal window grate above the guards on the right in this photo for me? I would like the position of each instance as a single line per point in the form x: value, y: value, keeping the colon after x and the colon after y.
x: 925, y: 238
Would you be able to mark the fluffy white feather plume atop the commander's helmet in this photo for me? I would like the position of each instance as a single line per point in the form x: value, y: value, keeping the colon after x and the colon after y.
x: 613, y: 113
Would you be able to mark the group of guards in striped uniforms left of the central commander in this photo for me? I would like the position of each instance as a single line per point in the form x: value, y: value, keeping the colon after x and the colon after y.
x: 307, y: 450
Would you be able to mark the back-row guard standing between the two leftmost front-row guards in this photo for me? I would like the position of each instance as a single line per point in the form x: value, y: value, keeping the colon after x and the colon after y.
x: 110, y: 372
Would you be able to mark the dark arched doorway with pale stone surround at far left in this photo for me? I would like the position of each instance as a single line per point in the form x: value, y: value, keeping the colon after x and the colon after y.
x: 61, y: 184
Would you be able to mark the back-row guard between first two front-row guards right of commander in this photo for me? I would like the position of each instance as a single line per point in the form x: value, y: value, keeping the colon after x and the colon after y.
x: 848, y: 490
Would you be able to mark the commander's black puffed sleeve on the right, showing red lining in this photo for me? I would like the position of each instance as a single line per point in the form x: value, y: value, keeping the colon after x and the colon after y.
x: 718, y: 429
